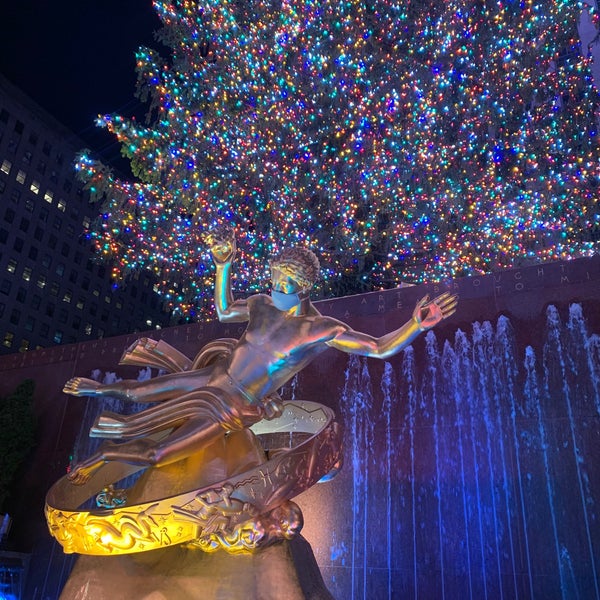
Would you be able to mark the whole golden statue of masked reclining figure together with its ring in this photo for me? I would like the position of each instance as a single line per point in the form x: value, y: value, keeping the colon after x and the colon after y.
x: 229, y: 388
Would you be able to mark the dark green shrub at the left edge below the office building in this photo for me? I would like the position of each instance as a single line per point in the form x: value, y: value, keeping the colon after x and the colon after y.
x: 17, y: 433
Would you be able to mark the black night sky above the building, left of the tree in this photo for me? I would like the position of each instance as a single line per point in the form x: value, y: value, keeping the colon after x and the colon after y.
x: 76, y: 58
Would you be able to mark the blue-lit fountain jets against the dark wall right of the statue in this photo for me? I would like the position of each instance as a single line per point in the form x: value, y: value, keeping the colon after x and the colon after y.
x: 474, y: 466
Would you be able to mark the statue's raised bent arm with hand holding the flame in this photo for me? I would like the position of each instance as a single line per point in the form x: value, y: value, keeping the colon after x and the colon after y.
x: 221, y: 242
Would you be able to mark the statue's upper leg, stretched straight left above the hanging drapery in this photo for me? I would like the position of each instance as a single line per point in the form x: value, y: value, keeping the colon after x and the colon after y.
x: 151, y: 390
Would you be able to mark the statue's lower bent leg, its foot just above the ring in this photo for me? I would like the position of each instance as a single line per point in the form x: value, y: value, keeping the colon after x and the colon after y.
x: 190, y: 437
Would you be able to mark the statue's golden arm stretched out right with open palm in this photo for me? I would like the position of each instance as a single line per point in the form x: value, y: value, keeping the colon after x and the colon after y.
x: 426, y: 315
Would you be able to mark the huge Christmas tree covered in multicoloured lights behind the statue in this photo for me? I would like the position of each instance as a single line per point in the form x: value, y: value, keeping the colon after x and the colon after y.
x: 402, y: 141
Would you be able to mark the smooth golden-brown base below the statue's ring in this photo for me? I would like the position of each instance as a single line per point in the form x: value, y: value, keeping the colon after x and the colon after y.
x: 284, y: 571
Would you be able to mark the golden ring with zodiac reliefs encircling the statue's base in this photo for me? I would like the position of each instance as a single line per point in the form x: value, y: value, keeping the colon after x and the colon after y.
x: 303, y: 445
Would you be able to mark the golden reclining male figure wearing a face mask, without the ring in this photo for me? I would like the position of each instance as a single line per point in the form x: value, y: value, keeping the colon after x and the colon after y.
x: 285, y: 333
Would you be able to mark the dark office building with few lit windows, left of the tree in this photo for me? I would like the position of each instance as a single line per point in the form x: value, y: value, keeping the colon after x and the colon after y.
x: 53, y: 289
